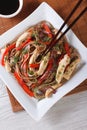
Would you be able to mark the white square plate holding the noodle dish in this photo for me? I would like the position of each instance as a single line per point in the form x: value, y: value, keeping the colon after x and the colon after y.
x: 37, y: 109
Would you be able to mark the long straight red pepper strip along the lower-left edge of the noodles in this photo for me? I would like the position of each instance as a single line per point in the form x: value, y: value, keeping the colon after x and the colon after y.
x: 23, y: 85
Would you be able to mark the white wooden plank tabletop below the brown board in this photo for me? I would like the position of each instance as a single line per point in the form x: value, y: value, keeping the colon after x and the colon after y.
x: 70, y: 113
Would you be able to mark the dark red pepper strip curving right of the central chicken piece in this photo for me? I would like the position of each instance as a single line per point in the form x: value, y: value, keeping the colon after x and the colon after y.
x: 46, y: 73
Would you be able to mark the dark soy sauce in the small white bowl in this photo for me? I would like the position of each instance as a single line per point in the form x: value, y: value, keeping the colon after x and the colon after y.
x: 8, y: 7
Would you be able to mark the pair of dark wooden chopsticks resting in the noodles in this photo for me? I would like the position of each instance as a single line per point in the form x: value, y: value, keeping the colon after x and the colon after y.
x: 55, y: 40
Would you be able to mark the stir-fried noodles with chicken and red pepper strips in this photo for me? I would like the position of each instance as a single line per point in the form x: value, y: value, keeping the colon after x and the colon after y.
x: 40, y: 77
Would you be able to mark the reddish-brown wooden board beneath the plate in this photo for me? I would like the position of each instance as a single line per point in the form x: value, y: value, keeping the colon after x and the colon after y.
x: 80, y: 29
